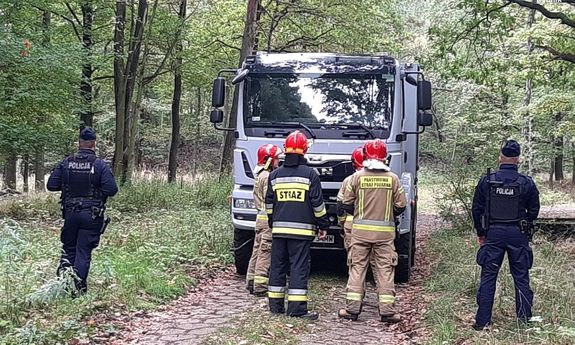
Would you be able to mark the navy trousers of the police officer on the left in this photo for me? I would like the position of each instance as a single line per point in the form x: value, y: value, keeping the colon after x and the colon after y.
x: 80, y: 236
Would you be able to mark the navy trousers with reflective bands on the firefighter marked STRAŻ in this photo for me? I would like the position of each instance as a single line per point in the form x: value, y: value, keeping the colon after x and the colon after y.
x: 289, y: 256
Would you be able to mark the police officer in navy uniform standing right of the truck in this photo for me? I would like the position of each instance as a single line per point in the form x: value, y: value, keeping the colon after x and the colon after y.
x: 504, y: 202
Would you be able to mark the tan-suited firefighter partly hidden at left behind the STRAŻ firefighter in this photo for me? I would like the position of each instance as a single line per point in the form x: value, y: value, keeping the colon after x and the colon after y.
x: 257, y: 276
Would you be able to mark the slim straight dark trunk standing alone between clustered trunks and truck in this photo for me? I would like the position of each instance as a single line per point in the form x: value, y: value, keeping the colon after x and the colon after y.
x: 177, y: 96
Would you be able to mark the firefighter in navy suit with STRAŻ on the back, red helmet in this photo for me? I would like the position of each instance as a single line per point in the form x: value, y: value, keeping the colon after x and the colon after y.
x: 295, y: 208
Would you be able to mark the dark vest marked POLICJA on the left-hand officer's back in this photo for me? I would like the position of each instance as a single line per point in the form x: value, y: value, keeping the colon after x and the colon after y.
x: 78, y: 177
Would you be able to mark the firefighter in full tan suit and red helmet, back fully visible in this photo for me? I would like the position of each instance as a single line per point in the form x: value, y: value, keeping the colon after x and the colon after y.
x: 375, y: 197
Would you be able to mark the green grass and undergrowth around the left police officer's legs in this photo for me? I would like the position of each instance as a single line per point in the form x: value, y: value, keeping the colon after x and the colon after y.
x: 159, y: 235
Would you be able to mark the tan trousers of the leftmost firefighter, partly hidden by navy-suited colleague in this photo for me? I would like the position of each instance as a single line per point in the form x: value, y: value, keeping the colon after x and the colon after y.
x: 258, y: 269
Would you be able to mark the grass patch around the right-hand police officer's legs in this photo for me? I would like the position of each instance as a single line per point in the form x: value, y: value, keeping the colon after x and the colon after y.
x: 454, y: 282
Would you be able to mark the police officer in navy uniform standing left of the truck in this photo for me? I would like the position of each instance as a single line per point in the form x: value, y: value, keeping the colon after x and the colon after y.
x: 85, y: 182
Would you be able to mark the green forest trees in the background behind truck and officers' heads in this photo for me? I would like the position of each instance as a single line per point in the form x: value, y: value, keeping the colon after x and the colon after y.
x: 140, y: 72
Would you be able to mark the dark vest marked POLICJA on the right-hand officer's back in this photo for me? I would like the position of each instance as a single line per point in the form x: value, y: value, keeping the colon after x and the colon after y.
x: 505, y: 201
